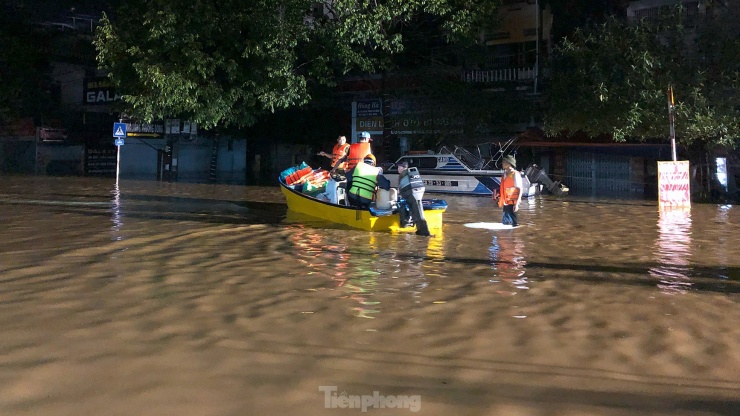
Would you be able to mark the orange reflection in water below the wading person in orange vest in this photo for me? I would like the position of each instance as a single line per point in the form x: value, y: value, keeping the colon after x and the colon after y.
x: 507, y: 260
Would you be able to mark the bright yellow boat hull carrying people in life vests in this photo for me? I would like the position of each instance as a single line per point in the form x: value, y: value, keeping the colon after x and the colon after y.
x: 365, y: 219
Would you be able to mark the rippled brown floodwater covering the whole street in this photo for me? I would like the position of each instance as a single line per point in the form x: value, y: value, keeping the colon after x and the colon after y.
x: 155, y: 298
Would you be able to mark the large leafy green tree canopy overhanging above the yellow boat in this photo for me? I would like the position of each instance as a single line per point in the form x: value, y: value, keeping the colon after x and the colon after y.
x: 226, y: 62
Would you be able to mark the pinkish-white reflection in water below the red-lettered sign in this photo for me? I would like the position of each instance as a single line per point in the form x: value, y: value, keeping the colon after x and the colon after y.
x: 673, y: 251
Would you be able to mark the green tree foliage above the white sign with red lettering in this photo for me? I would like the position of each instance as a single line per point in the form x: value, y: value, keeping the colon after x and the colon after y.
x: 613, y: 79
